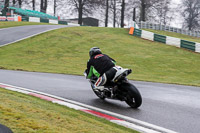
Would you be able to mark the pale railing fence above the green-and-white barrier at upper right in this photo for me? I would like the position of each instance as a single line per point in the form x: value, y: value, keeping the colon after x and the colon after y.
x: 146, y: 25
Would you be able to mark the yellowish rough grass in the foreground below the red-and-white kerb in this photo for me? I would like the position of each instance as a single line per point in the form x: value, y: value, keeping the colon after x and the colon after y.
x: 27, y: 114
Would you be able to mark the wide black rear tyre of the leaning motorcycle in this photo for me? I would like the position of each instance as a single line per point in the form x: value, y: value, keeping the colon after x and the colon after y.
x: 133, y: 97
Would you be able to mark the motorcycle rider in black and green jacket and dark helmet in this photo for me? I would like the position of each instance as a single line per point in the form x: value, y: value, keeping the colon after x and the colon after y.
x: 103, y: 67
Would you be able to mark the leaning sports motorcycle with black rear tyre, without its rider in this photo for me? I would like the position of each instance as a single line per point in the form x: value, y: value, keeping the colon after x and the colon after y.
x: 120, y: 89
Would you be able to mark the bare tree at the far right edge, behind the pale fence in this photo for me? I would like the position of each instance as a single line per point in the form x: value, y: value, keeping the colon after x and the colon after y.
x: 191, y: 13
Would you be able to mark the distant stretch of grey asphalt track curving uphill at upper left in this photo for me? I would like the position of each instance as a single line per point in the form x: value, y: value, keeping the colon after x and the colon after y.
x: 12, y: 34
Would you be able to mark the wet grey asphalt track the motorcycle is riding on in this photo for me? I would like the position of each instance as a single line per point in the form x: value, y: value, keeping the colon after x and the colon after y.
x: 174, y: 107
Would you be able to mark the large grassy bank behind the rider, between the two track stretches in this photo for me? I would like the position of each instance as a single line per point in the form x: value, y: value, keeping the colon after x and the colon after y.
x: 66, y: 51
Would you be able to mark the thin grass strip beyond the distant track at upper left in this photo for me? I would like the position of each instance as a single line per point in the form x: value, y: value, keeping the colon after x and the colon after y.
x: 6, y: 24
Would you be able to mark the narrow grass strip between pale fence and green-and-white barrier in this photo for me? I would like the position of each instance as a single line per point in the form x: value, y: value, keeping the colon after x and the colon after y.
x: 177, y: 35
